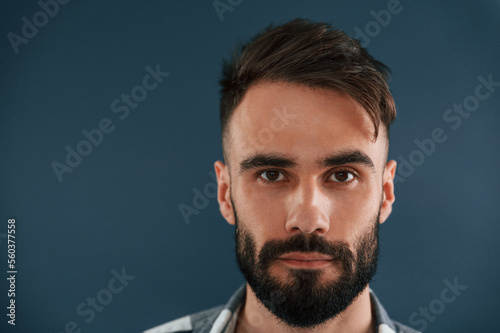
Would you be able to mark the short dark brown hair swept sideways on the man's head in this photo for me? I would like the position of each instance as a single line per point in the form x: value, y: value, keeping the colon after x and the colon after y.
x: 311, y: 54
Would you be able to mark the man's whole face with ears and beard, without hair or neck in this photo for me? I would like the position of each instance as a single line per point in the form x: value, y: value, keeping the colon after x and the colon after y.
x: 306, y: 186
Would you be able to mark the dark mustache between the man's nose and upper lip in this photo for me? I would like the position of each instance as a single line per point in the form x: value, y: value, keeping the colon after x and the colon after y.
x: 272, y: 249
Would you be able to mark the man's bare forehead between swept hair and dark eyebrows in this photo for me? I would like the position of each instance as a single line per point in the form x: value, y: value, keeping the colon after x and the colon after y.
x: 283, y: 118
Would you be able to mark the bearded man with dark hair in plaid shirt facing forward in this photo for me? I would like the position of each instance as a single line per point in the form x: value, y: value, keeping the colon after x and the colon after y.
x: 305, y: 116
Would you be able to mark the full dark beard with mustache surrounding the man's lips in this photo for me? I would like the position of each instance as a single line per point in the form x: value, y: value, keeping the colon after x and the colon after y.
x: 303, y: 300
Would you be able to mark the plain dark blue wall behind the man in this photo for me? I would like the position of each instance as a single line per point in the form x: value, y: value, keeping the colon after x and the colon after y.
x: 119, y: 207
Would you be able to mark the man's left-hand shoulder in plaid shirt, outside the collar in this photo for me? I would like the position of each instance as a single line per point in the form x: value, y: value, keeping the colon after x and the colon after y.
x: 190, y: 323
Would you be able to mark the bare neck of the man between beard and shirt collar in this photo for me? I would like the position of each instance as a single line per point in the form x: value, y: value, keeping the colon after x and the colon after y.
x: 357, y: 318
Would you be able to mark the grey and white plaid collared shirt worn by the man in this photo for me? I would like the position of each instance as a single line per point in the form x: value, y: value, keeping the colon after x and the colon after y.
x: 223, y: 319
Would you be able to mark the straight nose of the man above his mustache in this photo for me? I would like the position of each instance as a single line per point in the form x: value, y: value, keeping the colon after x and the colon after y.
x: 309, y: 207
